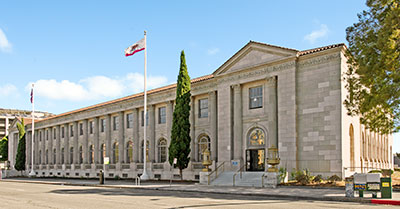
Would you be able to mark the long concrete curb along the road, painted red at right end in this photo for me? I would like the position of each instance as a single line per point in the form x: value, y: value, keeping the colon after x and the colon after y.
x: 280, y: 196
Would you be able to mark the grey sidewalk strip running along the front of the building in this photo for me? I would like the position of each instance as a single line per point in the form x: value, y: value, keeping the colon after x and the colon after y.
x: 298, y: 193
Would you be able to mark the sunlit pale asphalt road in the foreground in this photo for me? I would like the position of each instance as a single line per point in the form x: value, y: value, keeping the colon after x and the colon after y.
x: 28, y: 195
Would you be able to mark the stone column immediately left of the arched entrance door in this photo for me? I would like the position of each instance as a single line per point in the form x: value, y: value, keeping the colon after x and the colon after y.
x: 237, y: 123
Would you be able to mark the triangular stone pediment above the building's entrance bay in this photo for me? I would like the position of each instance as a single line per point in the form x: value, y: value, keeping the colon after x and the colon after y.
x: 254, y: 54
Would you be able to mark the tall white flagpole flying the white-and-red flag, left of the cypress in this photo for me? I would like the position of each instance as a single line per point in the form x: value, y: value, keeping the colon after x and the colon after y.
x: 145, y: 176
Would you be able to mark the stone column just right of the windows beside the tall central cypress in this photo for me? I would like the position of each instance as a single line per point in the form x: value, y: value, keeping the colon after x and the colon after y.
x: 212, y: 105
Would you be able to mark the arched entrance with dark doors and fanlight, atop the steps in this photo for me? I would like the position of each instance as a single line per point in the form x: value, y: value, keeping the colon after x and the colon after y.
x: 255, y: 153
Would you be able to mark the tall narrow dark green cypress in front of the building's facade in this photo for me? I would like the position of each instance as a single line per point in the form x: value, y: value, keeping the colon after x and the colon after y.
x: 179, y: 147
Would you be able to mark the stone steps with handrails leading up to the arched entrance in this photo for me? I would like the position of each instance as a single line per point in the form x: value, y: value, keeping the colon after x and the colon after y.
x: 248, y: 179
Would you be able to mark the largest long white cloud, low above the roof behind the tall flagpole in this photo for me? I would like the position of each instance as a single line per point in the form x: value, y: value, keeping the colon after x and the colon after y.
x: 95, y: 87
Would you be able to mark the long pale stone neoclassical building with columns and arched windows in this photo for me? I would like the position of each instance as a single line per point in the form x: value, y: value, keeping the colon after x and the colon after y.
x: 263, y: 95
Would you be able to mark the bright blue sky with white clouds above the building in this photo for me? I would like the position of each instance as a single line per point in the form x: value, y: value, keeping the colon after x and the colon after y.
x: 73, y: 50
